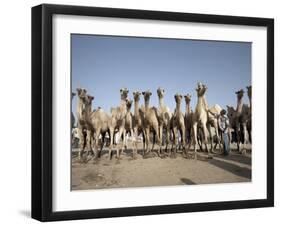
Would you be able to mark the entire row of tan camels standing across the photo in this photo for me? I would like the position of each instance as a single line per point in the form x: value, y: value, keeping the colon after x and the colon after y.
x: 175, y: 129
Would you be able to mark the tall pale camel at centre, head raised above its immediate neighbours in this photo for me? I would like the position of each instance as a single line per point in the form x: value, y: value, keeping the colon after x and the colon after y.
x: 164, y: 118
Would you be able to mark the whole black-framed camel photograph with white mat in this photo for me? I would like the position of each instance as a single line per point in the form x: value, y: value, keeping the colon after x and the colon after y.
x: 145, y: 112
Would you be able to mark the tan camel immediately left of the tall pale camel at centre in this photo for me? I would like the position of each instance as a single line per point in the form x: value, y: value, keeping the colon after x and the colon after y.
x: 150, y: 121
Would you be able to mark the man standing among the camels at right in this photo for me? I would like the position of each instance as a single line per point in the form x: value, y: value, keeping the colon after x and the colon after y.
x: 223, y: 126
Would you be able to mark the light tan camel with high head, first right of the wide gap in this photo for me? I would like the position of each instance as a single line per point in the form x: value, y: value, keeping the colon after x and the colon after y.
x: 117, y: 122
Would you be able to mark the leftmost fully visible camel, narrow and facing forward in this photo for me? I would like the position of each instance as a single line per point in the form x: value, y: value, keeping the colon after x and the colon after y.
x: 81, y: 123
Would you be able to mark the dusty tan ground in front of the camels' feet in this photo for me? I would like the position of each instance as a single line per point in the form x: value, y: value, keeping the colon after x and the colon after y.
x: 154, y: 171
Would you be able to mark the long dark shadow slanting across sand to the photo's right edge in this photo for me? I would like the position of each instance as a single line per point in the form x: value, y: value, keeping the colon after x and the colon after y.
x: 232, y: 168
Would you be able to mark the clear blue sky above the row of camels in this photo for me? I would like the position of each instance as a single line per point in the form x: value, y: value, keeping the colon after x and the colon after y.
x: 104, y: 64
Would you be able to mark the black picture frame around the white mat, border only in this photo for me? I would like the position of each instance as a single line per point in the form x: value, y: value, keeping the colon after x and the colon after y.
x: 42, y: 111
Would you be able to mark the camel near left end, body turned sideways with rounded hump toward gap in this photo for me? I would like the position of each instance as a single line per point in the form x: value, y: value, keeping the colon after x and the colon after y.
x: 97, y: 123
